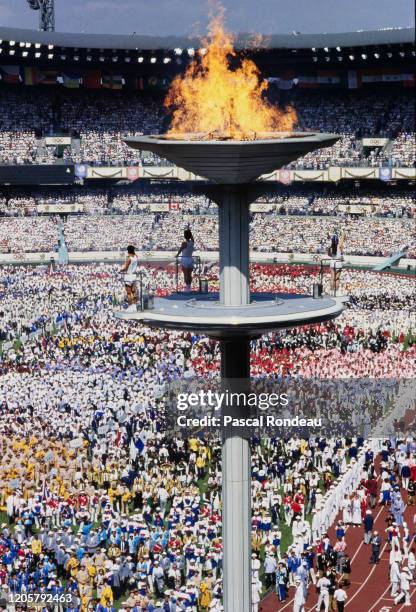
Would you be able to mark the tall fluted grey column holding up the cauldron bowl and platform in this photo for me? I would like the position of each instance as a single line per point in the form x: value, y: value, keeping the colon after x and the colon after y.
x: 235, y: 374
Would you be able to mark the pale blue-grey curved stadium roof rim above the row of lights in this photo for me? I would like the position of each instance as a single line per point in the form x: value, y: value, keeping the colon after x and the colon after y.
x: 135, y: 41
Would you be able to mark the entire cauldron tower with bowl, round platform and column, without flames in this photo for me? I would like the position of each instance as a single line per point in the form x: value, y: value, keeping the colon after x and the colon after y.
x: 235, y: 316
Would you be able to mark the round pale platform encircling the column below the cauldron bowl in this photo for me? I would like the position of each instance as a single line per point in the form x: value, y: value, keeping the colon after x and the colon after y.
x: 204, y: 314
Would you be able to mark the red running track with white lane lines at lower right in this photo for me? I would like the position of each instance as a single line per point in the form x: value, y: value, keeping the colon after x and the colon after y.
x: 370, y: 585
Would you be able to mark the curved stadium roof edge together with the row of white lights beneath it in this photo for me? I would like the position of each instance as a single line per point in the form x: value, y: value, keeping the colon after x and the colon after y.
x: 294, y: 48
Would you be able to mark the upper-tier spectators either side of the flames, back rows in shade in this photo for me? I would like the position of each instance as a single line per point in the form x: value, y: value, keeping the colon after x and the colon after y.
x: 99, y: 121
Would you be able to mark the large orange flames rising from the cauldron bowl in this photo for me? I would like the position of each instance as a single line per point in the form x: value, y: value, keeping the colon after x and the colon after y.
x: 218, y: 100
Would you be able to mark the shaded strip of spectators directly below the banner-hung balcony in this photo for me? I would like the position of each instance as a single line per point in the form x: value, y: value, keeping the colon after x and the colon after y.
x: 140, y: 197
